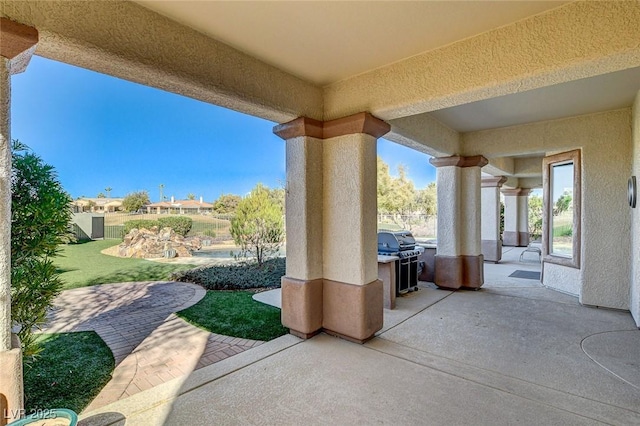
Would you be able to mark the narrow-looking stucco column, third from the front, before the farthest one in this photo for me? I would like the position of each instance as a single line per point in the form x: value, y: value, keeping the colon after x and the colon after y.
x: 490, y: 234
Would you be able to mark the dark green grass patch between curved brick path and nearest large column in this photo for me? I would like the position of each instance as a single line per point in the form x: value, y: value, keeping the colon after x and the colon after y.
x: 235, y: 313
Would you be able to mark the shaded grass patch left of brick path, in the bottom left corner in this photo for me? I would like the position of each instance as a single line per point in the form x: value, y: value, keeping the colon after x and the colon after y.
x: 69, y: 372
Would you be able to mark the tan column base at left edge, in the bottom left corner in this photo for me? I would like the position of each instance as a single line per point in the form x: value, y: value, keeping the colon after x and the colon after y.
x: 11, y: 387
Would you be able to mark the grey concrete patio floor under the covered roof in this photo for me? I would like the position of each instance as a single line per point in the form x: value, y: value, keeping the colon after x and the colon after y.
x: 512, y: 352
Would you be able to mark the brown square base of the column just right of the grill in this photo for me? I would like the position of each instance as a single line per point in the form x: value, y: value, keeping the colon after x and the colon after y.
x: 455, y: 272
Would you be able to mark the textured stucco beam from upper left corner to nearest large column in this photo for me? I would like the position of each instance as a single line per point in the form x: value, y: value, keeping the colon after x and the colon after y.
x: 125, y: 40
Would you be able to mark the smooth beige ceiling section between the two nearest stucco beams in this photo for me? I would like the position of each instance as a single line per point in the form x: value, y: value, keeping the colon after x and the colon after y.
x: 325, y: 41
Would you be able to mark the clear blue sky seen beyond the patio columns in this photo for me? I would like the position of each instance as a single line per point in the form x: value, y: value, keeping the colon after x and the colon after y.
x: 99, y: 131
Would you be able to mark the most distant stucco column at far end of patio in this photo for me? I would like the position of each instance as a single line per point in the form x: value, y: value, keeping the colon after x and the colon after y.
x: 516, y: 217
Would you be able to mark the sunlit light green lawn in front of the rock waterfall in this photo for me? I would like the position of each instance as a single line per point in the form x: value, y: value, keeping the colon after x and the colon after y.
x: 82, y: 265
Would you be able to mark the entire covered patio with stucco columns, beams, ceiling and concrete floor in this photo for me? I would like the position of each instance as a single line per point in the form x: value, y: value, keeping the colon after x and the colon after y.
x: 503, y: 97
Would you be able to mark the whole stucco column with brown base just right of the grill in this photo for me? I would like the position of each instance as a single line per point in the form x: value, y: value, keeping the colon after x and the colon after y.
x: 459, y: 260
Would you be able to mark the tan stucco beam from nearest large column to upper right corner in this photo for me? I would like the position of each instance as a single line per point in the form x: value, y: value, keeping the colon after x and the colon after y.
x: 578, y: 40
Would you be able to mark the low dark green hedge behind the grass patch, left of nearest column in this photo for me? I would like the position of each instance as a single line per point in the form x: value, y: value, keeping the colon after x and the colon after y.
x: 235, y: 277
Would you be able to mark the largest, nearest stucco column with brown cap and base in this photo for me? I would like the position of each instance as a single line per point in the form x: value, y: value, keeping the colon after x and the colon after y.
x: 332, y: 271
